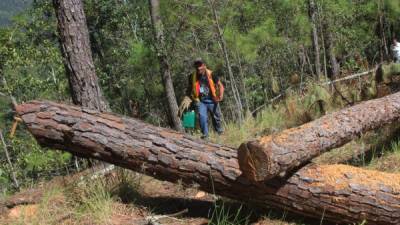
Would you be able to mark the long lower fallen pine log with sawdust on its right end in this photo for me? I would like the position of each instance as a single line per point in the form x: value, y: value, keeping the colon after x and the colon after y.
x: 338, y: 193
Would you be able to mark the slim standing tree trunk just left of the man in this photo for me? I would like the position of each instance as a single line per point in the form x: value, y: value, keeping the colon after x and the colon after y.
x: 165, y: 67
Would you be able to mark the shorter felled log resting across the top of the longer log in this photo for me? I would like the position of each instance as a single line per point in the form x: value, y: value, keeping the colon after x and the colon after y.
x: 277, y: 154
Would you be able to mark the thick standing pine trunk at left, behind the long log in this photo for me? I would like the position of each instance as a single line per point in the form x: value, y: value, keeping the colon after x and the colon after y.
x: 77, y: 55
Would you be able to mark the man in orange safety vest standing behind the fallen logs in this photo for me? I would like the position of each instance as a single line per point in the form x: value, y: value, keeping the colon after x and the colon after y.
x: 205, y: 91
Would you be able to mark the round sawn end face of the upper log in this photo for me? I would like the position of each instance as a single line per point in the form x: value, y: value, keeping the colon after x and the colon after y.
x: 253, y: 162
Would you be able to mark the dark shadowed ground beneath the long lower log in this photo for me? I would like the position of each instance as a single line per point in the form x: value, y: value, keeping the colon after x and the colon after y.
x: 220, y: 211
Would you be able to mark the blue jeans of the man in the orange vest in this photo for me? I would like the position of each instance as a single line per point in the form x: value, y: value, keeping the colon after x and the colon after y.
x: 205, y: 106
